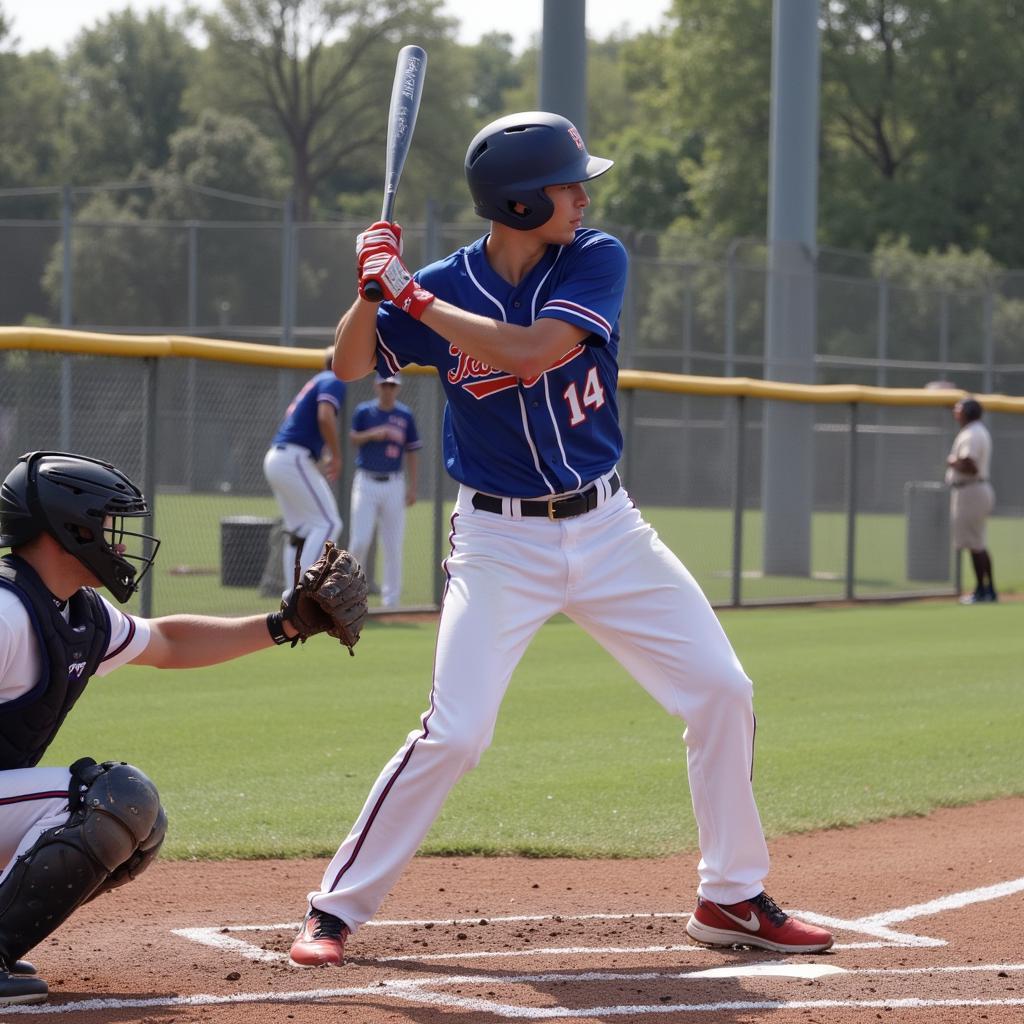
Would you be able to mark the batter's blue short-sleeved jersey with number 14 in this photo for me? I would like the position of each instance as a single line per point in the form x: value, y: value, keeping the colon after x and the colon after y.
x: 502, y: 435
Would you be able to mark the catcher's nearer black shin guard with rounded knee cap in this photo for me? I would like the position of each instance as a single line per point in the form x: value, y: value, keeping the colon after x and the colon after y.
x: 111, y: 835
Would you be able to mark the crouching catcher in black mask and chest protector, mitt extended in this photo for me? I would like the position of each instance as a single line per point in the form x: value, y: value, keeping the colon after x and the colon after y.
x: 70, y: 834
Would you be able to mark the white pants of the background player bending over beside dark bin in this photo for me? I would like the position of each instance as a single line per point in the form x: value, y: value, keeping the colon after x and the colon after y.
x: 307, y: 501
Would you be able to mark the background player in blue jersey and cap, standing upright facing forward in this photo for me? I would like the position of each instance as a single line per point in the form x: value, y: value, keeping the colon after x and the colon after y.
x: 386, y: 436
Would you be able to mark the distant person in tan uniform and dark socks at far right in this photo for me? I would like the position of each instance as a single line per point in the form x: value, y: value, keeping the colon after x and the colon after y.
x: 972, y: 497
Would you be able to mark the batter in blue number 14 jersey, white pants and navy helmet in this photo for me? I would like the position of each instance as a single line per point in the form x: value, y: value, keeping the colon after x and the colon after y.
x: 524, y: 329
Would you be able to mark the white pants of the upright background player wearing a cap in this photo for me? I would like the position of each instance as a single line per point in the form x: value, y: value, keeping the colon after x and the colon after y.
x: 380, y: 502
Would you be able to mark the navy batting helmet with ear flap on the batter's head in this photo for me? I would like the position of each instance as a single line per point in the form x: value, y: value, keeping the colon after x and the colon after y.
x: 511, y: 160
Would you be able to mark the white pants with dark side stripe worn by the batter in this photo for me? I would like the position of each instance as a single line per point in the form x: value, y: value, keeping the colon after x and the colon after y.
x: 610, y: 573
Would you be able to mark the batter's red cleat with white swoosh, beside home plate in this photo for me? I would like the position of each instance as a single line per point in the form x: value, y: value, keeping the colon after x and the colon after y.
x: 758, y: 922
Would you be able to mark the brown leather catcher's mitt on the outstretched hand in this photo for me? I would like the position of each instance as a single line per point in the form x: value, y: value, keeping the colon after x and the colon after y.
x: 330, y: 598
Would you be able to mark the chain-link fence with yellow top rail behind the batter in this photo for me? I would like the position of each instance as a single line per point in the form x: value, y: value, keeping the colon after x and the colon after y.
x: 193, y: 434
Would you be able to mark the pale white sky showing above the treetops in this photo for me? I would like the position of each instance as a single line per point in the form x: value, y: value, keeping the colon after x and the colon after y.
x: 54, y: 24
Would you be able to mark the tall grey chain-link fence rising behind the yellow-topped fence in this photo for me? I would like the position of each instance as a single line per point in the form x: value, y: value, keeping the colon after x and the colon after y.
x: 278, y: 281
